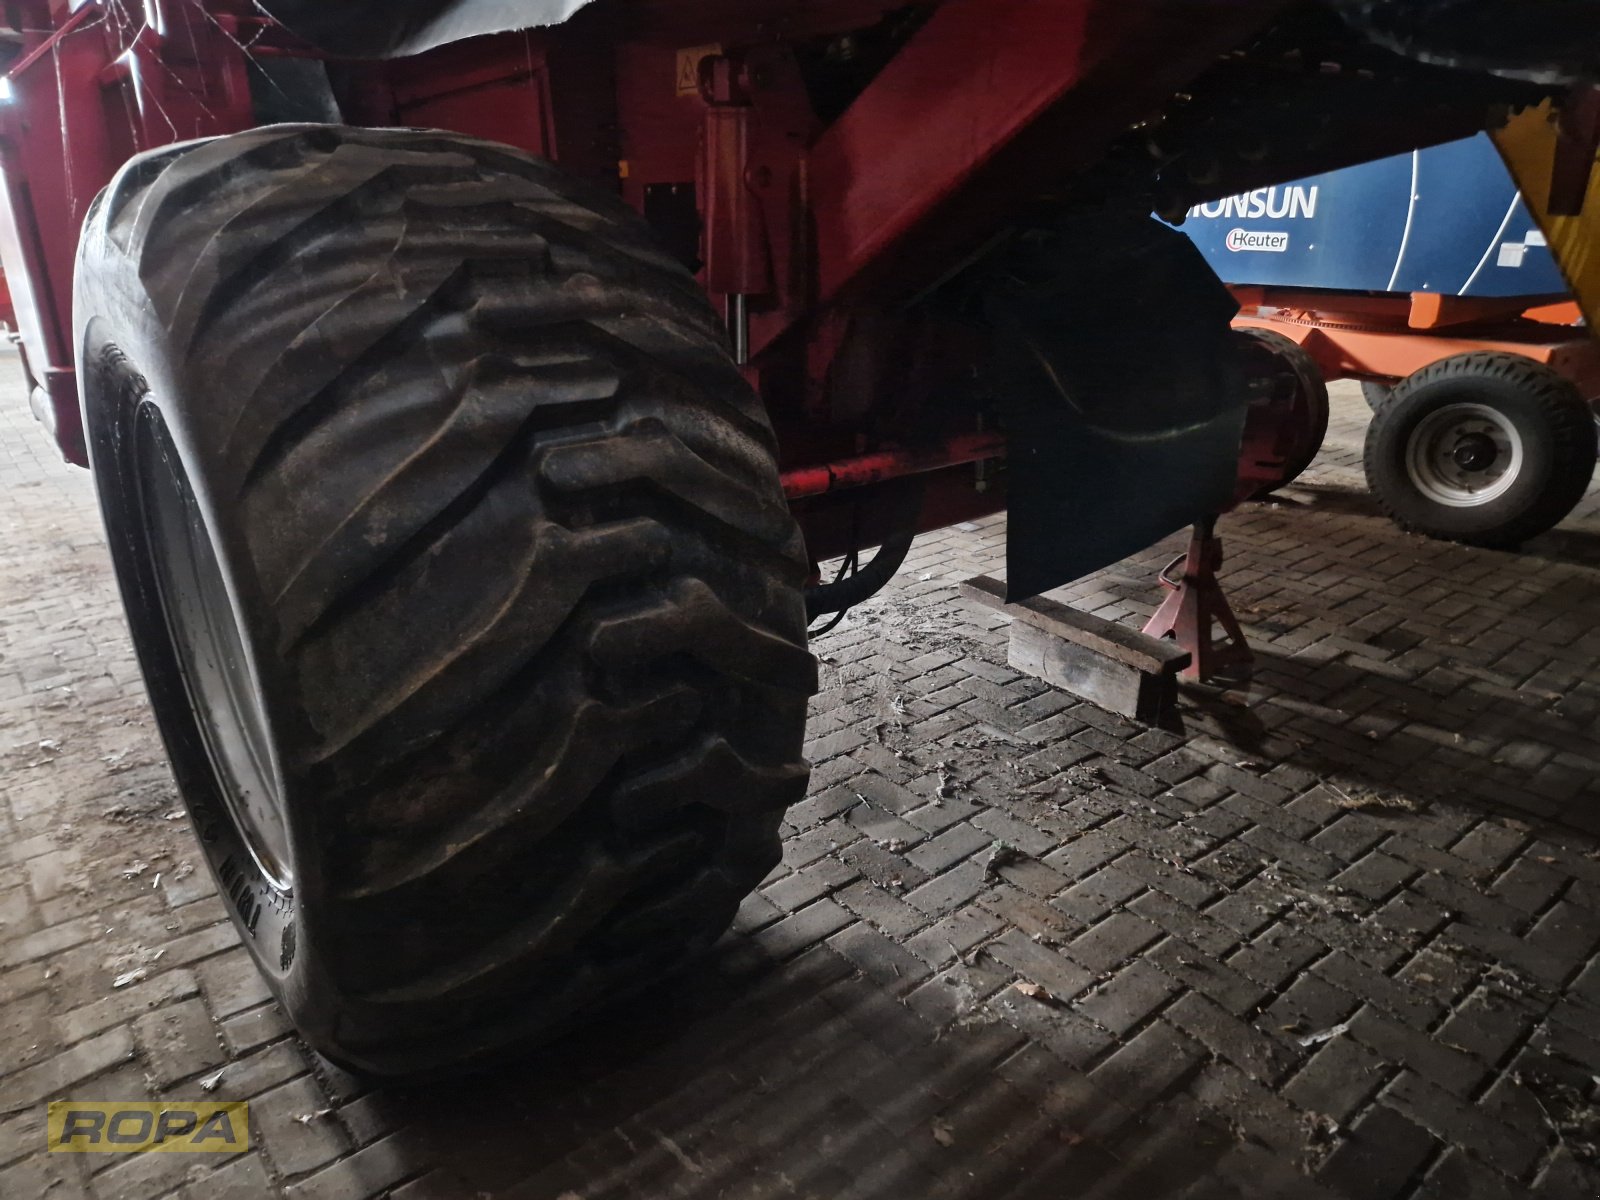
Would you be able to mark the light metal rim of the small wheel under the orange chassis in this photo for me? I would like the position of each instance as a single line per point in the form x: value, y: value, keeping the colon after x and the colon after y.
x: 1465, y: 455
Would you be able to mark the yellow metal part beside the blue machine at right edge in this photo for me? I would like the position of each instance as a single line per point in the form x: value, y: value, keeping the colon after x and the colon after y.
x: 1529, y: 145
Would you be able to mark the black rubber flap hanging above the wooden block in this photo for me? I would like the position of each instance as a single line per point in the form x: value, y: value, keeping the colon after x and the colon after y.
x: 1119, y: 385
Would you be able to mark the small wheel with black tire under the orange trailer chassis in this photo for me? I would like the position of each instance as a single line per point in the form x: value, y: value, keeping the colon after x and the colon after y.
x: 1482, y: 449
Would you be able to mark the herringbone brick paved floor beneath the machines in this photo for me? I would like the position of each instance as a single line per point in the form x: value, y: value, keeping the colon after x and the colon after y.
x: 1388, y: 838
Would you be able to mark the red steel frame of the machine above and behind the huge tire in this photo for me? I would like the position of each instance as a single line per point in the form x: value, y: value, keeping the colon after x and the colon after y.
x: 801, y: 230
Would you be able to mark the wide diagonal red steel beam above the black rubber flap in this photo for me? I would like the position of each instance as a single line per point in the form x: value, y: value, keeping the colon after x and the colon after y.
x: 993, y: 103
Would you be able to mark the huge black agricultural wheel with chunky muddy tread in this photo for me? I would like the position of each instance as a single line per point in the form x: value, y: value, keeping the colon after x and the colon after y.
x: 460, y: 572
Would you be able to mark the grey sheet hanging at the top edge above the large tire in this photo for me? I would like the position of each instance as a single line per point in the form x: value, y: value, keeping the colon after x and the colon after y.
x: 393, y: 28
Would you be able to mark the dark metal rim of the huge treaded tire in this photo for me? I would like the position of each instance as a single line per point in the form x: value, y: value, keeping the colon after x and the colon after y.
x: 210, y: 650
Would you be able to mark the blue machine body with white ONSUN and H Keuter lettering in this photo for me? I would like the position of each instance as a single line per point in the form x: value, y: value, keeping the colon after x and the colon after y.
x: 1446, y: 220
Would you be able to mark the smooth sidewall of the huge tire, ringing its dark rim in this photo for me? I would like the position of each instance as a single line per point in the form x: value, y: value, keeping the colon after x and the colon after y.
x: 268, y: 921
